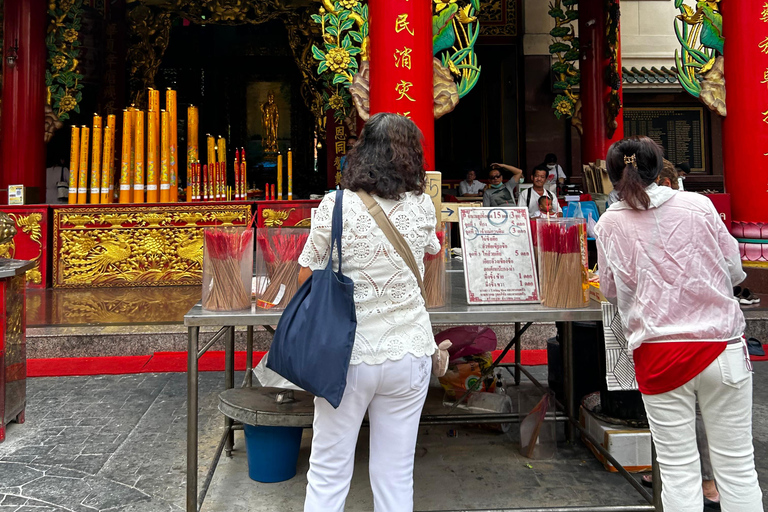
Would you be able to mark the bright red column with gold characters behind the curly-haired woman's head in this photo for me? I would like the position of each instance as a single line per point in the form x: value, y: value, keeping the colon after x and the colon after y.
x: 401, y: 64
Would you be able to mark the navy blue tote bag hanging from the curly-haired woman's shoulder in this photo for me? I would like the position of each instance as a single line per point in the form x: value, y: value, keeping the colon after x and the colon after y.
x: 313, y: 342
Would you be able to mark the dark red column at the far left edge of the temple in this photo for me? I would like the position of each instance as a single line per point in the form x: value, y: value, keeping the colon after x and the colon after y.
x: 23, y: 116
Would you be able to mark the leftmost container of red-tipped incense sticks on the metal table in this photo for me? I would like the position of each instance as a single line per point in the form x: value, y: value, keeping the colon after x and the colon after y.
x: 227, y: 269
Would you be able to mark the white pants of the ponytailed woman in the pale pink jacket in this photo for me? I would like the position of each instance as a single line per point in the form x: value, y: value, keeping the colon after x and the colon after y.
x: 724, y: 391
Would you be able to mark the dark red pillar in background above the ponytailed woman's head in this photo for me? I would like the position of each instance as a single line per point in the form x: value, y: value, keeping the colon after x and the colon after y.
x: 594, y: 89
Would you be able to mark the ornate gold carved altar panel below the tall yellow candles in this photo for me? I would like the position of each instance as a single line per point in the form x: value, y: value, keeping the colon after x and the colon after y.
x: 135, y: 245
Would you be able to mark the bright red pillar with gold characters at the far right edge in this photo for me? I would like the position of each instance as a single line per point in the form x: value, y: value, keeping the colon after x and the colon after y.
x: 745, y: 129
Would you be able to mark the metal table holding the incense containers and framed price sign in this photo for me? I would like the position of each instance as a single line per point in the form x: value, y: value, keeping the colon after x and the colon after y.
x: 455, y: 312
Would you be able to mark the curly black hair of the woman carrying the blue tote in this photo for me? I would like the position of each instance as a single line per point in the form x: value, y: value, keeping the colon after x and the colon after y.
x: 387, y: 159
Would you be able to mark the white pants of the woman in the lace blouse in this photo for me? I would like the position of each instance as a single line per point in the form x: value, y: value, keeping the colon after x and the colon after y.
x: 393, y: 393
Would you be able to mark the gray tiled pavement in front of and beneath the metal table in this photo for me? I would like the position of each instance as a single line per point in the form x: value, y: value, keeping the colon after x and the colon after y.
x: 118, y: 443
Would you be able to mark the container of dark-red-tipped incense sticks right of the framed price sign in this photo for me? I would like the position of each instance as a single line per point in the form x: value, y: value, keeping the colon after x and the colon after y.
x: 563, y: 262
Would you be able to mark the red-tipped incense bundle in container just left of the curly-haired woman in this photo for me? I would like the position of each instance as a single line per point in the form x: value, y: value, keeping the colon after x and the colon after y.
x: 280, y: 251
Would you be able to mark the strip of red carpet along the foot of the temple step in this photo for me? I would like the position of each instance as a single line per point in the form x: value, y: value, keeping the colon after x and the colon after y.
x: 176, y: 362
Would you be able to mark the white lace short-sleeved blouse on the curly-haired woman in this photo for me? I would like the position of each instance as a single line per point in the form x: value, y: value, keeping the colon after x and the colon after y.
x: 391, y: 318
